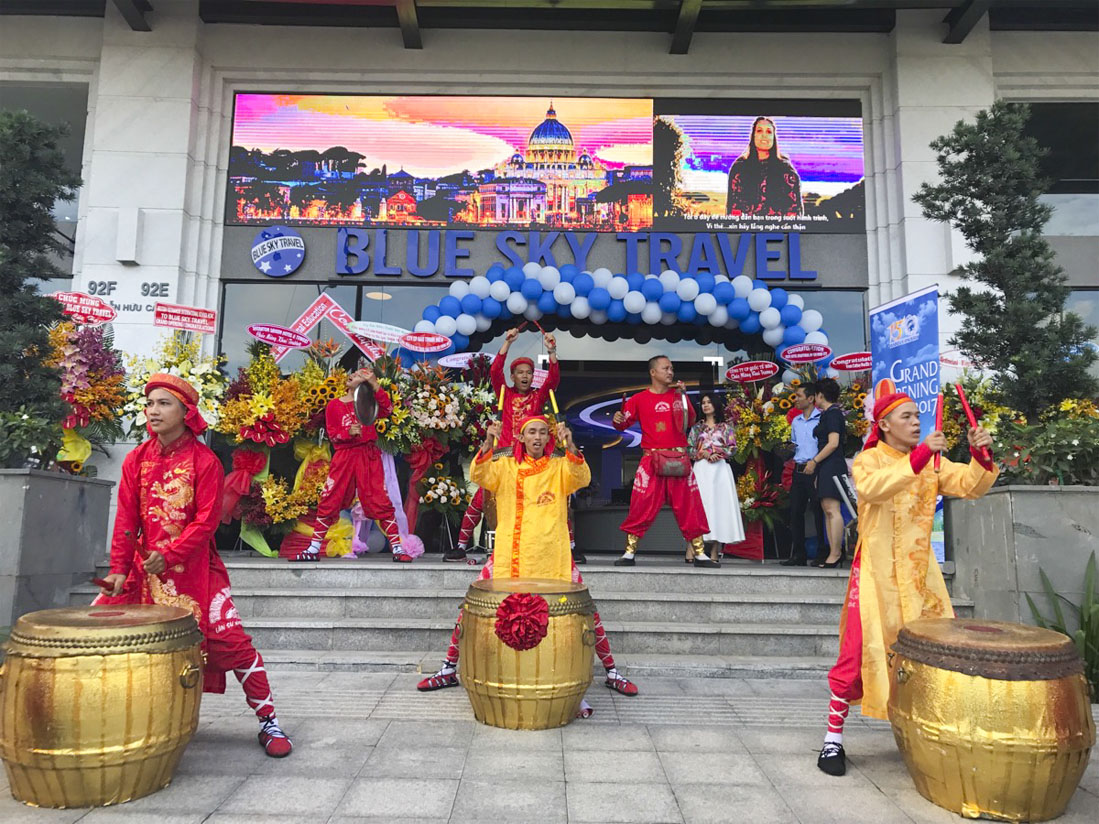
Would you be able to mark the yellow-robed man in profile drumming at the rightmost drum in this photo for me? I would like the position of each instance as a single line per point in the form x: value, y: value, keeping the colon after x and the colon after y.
x: 894, y: 576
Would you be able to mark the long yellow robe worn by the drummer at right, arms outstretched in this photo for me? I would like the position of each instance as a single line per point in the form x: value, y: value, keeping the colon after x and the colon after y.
x: 901, y: 581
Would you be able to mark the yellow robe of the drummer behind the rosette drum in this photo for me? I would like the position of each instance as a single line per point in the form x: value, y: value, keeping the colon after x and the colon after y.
x: 531, y: 513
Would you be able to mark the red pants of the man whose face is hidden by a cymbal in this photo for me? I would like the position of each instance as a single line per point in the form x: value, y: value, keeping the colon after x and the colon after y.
x: 358, y: 471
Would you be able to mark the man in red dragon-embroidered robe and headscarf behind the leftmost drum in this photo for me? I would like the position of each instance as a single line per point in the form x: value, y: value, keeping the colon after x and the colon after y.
x: 163, y: 550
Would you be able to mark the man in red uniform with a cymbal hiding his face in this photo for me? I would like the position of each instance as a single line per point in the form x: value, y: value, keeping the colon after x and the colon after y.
x: 356, y: 469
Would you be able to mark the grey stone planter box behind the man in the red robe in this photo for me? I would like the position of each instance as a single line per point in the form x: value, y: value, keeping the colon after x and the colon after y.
x: 54, y: 531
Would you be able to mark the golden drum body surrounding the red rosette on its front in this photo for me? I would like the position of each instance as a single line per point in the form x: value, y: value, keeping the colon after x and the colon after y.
x: 529, y: 689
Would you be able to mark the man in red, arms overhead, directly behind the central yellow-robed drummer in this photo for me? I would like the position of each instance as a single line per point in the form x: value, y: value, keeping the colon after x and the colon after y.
x: 520, y: 400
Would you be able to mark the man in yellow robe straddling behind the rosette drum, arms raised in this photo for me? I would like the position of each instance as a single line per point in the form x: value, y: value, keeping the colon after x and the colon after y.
x: 532, y: 489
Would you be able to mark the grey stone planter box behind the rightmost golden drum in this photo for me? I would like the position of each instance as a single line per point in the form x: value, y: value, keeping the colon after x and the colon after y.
x: 998, y: 544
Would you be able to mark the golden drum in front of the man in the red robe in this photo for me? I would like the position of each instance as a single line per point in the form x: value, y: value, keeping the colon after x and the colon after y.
x: 98, y: 704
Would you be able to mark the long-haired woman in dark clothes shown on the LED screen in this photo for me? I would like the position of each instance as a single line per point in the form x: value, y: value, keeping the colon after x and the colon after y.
x: 762, y: 181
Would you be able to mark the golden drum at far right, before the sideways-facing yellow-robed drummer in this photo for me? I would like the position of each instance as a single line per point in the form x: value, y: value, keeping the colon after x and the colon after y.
x: 993, y: 718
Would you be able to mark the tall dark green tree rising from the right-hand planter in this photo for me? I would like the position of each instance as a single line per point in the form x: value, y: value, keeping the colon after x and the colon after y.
x: 1015, y: 322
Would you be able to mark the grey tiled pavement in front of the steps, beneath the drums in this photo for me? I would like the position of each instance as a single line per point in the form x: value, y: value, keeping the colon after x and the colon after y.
x: 370, y: 749
